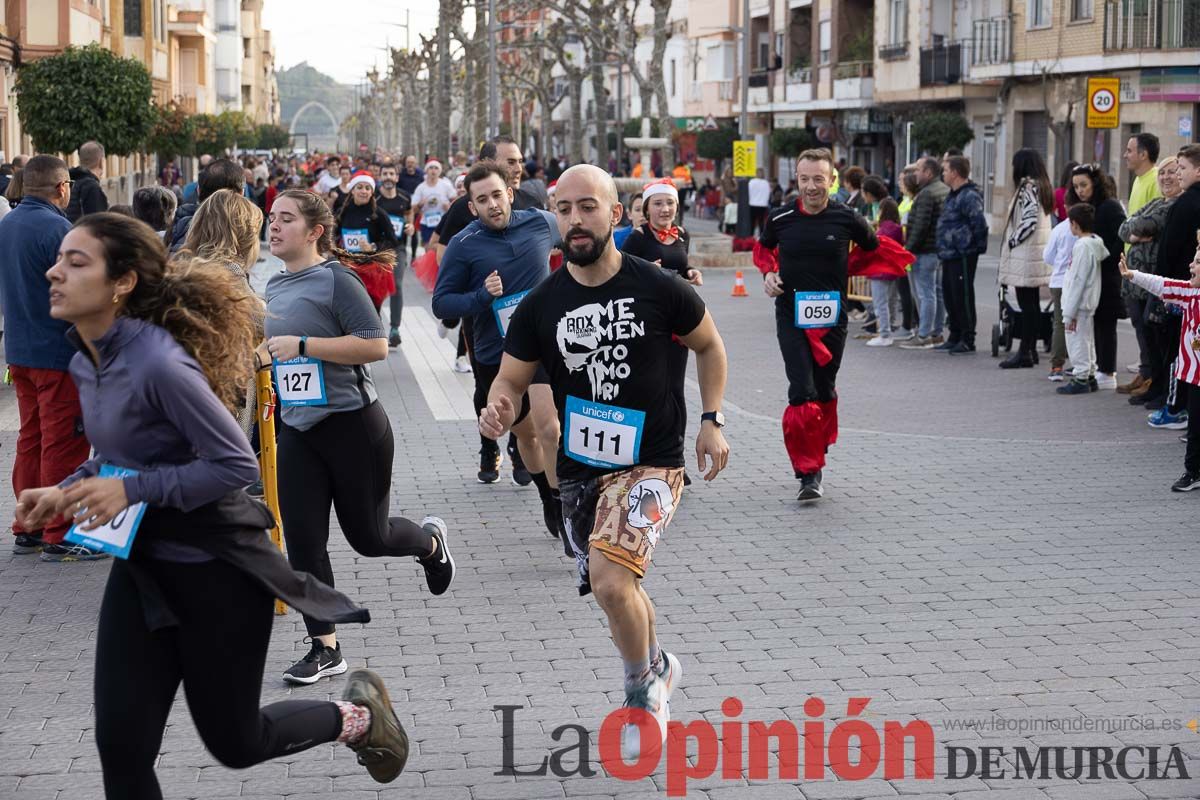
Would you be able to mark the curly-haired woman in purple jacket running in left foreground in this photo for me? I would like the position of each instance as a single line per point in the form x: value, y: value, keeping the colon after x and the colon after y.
x: 164, y: 357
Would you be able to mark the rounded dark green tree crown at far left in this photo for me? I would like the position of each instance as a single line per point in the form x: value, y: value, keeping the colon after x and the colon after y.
x: 86, y: 94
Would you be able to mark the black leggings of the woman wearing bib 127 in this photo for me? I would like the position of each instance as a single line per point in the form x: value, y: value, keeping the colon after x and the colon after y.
x: 344, y: 461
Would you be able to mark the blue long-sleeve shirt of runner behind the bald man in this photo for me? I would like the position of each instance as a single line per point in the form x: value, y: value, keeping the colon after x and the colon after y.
x: 520, y: 254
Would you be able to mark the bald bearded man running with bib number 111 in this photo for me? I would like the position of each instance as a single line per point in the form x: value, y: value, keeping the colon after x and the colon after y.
x: 602, y: 328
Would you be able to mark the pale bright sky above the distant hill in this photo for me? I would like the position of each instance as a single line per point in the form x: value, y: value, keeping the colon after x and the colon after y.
x: 344, y: 39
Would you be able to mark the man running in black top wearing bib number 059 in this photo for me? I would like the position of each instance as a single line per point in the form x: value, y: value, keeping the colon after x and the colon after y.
x: 802, y: 255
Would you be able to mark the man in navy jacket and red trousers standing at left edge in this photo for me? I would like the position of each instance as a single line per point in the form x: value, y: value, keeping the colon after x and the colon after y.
x: 51, y: 444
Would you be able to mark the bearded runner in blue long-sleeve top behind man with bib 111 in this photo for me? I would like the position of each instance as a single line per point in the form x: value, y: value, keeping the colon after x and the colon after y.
x: 487, y: 270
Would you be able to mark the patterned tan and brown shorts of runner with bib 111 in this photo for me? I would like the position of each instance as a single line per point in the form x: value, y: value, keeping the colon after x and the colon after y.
x: 621, y: 515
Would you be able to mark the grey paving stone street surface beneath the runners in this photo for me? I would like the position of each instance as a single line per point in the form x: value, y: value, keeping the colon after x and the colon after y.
x: 988, y: 552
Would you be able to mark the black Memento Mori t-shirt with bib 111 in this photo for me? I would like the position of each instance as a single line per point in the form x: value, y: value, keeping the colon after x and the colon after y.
x: 608, y: 351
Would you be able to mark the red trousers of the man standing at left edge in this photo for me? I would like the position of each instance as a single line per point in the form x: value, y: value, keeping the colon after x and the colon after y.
x: 51, y: 444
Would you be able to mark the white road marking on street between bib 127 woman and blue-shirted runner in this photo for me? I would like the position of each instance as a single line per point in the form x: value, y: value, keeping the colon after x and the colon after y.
x: 449, y: 395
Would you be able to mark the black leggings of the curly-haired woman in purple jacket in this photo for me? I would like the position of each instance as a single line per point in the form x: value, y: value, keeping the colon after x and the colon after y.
x: 218, y: 651
